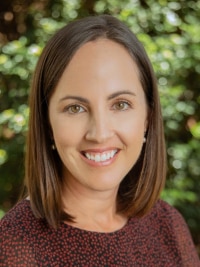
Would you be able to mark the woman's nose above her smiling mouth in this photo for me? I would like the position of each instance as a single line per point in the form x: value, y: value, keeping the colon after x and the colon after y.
x: 99, y: 128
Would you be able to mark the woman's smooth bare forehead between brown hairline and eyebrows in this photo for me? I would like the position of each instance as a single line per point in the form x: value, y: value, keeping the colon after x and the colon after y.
x: 99, y: 67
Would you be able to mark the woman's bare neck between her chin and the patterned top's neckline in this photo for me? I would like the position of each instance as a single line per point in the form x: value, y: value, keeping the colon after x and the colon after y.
x: 93, y: 210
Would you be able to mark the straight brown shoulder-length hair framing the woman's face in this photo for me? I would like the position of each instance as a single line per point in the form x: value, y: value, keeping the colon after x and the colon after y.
x: 141, y: 187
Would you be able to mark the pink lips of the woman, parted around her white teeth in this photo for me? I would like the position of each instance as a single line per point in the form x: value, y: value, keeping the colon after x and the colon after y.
x: 100, y: 152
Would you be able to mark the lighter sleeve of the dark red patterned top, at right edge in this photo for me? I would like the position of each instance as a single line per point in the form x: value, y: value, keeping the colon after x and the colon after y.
x: 183, y: 239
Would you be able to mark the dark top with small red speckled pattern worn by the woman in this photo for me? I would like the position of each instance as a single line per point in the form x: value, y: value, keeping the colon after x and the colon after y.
x: 159, y: 239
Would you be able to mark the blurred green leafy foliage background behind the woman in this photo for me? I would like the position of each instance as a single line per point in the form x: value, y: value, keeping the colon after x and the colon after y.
x: 170, y: 33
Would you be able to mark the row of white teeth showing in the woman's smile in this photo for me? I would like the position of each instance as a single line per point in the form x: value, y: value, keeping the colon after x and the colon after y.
x: 101, y: 157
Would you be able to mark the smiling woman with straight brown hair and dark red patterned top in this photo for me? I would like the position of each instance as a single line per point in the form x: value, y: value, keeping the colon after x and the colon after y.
x: 95, y: 160
